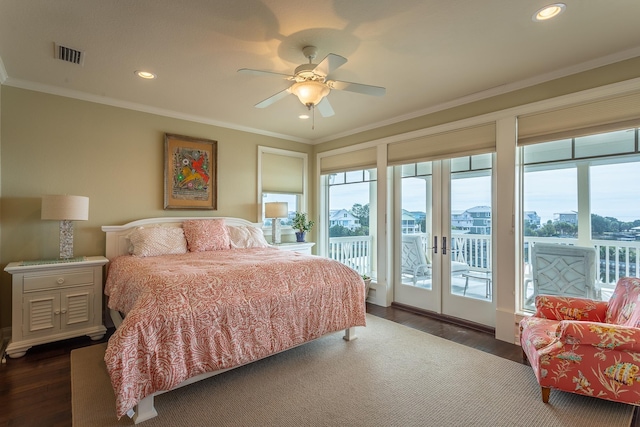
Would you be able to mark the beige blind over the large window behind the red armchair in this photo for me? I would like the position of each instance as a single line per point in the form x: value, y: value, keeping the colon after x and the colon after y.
x: 605, y: 115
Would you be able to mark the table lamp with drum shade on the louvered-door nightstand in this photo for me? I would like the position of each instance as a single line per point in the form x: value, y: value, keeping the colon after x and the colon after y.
x: 65, y: 209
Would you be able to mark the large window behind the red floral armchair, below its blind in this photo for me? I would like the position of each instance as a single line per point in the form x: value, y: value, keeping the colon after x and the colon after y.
x: 580, y: 191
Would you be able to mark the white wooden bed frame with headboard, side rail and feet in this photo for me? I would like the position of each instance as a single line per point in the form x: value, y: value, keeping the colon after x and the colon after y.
x: 117, y: 243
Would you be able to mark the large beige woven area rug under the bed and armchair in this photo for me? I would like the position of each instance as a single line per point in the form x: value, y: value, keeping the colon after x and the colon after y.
x: 391, y: 375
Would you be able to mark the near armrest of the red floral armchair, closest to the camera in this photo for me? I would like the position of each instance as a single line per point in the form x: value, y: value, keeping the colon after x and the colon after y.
x: 601, y: 335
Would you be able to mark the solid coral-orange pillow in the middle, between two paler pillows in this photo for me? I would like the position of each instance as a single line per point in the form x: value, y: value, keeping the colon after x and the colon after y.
x: 206, y: 235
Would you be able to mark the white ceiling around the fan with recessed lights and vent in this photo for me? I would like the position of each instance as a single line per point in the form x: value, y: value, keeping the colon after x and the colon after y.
x: 427, y: 53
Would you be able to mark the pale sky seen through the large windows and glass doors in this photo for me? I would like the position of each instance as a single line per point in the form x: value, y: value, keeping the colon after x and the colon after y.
x: 615, y: 192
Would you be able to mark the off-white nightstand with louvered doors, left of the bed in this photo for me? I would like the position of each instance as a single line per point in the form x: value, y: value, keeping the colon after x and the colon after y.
x: 52, y: 301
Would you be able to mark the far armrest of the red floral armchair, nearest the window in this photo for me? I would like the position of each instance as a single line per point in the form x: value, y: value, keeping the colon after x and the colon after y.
x: 554, y: 307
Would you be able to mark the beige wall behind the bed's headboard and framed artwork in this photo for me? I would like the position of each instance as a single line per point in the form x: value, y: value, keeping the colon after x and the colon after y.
x: 114, y: 156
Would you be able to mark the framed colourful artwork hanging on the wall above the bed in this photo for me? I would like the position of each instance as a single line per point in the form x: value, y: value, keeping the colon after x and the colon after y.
x: 190, y: 173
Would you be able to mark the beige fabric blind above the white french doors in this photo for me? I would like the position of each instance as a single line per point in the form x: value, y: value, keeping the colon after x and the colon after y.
x: 460, y: 142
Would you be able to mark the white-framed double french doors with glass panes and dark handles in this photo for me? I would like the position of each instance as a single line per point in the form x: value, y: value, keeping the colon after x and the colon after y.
x: 443, y: 237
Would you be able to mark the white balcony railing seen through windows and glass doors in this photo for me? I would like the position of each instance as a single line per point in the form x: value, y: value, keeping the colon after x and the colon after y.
x: 614, y: 258
